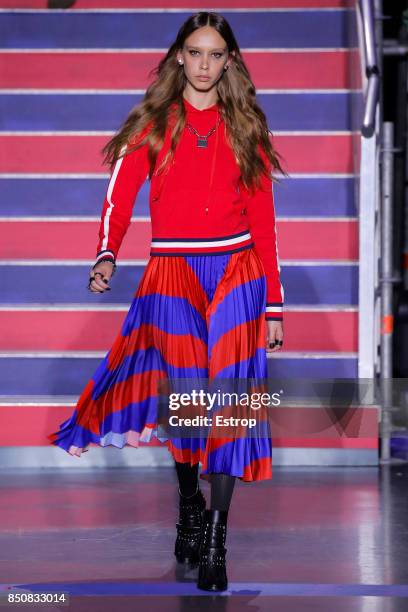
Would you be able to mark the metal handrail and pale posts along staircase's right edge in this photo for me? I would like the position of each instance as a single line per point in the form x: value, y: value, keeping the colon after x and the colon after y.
x: 376, y: 200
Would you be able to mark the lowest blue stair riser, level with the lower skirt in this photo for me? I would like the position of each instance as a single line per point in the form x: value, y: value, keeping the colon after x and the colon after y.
x: 68, y: 375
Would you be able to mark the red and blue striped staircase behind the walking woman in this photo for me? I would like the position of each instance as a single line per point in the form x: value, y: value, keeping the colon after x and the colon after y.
x: 69, y: 78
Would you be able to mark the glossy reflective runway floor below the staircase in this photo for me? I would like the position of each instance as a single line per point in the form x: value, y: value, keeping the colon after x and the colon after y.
x: 321, y: 539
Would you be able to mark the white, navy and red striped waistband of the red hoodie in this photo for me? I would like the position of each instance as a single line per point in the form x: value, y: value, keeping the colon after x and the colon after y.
x: 201, y: 246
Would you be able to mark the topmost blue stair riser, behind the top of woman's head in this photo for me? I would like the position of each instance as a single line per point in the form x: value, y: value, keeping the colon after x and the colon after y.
x: 149, y: 30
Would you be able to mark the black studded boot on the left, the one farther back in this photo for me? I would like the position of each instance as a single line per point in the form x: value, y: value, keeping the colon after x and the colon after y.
x: 186, y: 548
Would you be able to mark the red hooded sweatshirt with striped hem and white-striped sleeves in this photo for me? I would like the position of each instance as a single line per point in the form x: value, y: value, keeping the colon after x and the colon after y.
x: 197, y: 206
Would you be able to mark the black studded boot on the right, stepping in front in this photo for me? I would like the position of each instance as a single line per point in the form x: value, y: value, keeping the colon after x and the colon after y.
x: 212, y: 572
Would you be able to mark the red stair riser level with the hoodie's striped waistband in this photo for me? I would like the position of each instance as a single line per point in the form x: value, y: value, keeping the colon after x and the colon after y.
x: 49, y: 239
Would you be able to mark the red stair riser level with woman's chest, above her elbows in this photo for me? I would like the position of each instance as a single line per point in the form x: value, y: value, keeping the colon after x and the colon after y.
x: 325, y: 153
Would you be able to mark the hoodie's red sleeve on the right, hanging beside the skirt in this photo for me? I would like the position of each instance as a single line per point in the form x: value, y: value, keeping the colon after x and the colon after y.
x: 262, y: 225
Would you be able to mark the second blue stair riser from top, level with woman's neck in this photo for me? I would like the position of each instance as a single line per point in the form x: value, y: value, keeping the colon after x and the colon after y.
x: 63, y: 112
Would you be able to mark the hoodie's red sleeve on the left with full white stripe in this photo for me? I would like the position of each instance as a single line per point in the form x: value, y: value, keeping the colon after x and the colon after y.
x: 128, y: 175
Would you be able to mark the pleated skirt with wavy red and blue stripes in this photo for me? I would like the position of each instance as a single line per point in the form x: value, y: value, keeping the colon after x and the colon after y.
x: 193, y: 317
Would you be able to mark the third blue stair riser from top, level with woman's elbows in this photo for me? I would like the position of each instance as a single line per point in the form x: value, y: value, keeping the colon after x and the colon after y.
x: 326, y: 197
